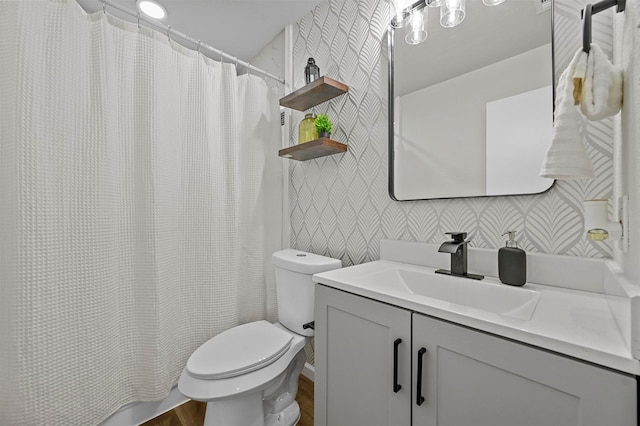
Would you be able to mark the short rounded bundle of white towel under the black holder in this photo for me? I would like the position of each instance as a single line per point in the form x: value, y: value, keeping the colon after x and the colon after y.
x: 602, y: 88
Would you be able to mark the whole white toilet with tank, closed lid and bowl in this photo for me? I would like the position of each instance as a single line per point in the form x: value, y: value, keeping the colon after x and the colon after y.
x: 248, y: 375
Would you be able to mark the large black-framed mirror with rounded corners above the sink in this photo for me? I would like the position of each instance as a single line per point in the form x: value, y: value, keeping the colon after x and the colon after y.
x: 471, y: 107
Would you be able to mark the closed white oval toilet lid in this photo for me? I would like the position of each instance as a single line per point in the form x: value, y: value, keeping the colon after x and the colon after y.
x: 239, y: 350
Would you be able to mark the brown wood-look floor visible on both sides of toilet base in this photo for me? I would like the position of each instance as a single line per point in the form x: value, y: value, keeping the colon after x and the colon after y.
x: 191, y: 413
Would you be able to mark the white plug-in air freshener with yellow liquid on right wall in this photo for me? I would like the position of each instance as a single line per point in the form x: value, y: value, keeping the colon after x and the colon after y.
x: 597, y: 223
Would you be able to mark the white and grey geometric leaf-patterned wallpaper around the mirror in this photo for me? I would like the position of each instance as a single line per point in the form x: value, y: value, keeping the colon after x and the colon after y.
x: 339, y: 204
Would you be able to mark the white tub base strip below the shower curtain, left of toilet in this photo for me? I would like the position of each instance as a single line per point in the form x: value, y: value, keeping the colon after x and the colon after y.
x: 140, y: 412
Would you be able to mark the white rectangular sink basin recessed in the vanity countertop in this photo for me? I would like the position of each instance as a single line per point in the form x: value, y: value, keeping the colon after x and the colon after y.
x: 513, y: 302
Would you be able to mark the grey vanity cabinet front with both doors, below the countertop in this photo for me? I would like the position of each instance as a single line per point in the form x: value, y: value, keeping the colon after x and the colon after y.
x: 467, y: 377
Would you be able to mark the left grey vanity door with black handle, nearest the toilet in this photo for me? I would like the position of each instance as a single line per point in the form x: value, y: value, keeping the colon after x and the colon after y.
x: 356, y: 343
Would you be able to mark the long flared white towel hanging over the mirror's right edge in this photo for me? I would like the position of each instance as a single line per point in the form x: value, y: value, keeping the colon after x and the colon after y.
x: 566, y: 157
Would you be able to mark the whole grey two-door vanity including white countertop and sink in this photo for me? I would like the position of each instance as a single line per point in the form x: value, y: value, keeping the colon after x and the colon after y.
x: 397, y: 345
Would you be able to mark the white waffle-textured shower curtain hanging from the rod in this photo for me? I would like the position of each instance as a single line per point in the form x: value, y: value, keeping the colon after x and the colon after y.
x: 133, y: 211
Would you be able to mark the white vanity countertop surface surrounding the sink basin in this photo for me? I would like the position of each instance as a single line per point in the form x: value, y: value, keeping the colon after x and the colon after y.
x: 571, y: 322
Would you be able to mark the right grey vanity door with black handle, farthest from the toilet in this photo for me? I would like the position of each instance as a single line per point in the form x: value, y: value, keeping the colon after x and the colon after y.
x: 473, y: 378
